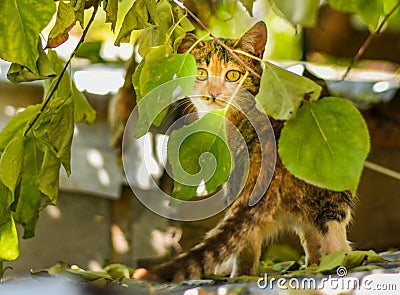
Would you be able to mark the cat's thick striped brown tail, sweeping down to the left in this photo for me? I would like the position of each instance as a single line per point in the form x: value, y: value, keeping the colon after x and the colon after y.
x: 227, y: 239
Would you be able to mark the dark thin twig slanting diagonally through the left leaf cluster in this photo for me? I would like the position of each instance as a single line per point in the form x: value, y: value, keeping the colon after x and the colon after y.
x: 53, y: 91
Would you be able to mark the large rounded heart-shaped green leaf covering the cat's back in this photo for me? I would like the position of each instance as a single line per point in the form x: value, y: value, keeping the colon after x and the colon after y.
x: 326, y: 144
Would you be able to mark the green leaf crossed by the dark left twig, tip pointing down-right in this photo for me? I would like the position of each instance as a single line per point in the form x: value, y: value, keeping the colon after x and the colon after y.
x: 83, y: 112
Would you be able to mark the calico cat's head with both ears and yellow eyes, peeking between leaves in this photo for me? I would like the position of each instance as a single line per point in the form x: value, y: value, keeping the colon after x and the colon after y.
x: 219, y: 73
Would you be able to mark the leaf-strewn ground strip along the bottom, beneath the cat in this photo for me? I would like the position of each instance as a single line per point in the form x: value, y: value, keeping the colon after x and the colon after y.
x: 375, y: 277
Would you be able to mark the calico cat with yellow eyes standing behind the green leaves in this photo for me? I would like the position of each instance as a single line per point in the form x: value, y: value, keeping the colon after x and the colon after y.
x: 318, y: 216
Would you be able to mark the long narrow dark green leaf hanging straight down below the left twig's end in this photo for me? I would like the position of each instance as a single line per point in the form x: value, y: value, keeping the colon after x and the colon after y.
x: 29, y: 199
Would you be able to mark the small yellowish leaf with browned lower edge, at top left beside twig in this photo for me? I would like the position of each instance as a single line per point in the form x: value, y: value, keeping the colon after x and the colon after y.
x: 65, y: 21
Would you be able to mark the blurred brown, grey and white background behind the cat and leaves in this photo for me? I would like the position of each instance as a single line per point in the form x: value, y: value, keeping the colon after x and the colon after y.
x: 98, y: 220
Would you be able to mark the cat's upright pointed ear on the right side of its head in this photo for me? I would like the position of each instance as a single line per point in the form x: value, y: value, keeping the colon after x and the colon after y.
x: 254, y: 40
